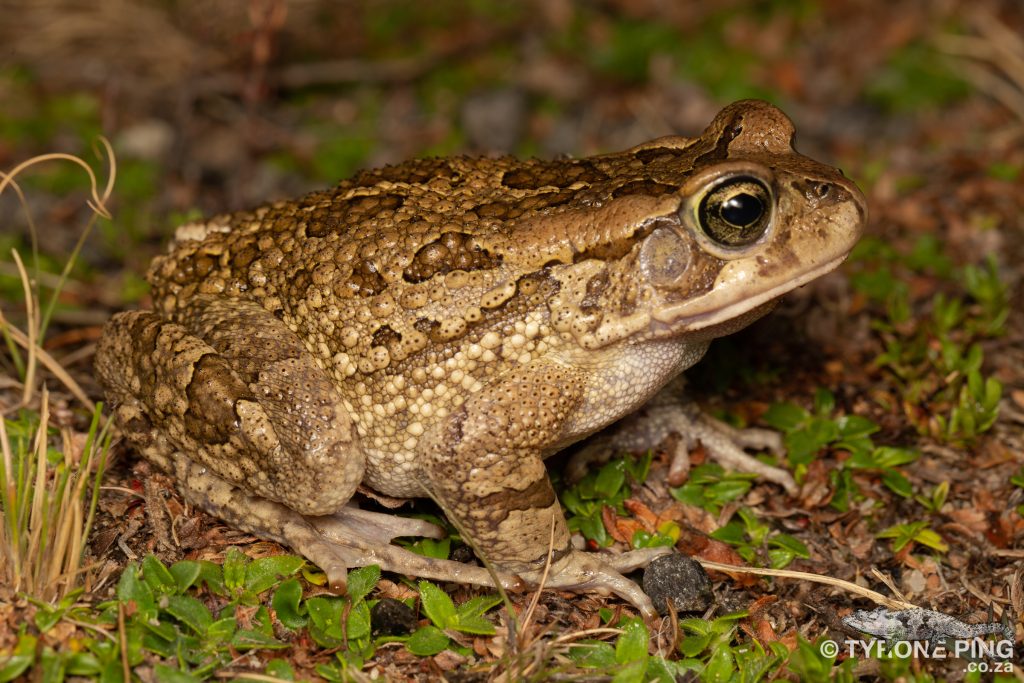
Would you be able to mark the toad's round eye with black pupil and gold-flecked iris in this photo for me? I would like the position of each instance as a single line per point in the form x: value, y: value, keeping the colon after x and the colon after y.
x: 736, y: 212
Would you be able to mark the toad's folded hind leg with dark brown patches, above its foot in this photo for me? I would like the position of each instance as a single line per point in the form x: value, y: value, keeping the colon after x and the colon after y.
x: 234, y: 389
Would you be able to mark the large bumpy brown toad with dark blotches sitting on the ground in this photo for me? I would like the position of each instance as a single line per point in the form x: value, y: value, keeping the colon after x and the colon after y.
x: 440, y: 327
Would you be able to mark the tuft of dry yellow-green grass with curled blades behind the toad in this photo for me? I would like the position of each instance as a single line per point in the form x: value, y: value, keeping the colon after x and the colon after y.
x: 47, y: 508
